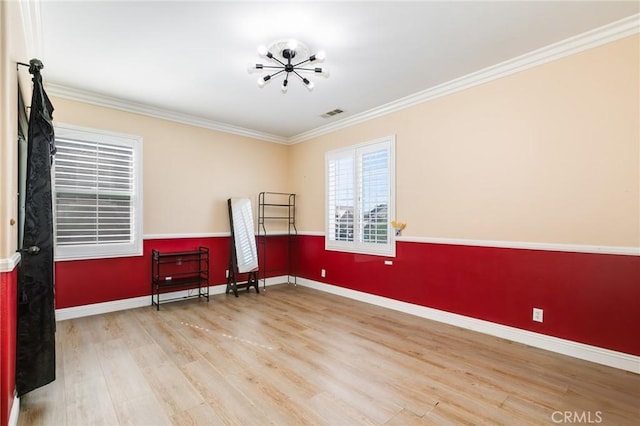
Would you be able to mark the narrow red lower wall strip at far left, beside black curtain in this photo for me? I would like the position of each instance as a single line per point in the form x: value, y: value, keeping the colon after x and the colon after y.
x: 8, y: 308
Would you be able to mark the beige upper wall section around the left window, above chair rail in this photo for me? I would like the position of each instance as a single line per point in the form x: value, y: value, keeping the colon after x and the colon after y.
x: 189, y: 172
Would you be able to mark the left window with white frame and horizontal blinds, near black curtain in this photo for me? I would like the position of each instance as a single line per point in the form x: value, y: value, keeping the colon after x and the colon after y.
x: 97, y: 190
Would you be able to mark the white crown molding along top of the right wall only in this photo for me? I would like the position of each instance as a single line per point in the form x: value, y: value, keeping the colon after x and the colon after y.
x: 588, y: 40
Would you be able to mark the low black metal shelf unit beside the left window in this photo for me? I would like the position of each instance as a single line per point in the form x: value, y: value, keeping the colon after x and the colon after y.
x: 174, y: 271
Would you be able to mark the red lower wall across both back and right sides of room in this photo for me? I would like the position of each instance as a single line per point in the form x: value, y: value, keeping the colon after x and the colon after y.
x: 587, y: 298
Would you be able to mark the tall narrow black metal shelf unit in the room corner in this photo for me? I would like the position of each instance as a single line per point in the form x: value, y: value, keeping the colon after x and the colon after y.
x: 277, y: 218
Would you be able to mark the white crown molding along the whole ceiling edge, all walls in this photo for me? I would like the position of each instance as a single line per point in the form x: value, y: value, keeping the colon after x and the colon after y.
x: 581, y: 42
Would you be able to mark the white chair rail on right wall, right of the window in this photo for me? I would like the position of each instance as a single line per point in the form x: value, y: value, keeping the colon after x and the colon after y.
x: 577, y: 248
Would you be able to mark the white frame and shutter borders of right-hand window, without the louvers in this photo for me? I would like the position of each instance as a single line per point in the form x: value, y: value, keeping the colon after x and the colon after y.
x: 355, y: 151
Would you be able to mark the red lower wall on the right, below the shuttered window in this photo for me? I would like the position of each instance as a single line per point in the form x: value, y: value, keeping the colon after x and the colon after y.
x: 588, y: 298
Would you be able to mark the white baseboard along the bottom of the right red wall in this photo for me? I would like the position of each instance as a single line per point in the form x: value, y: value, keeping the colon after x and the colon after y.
x: 595, y: 354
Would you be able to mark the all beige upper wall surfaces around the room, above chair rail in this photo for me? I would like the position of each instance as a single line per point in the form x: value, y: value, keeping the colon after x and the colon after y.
x: 547, y: 155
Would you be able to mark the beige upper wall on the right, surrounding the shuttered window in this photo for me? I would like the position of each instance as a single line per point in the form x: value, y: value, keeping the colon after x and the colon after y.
x: 547, y: 155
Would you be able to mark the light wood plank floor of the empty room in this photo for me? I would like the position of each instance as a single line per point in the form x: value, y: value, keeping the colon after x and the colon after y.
x: 293, y: 355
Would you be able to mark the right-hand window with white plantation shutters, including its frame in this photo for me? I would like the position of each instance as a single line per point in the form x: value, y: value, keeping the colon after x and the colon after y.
x: 360, y: 203
